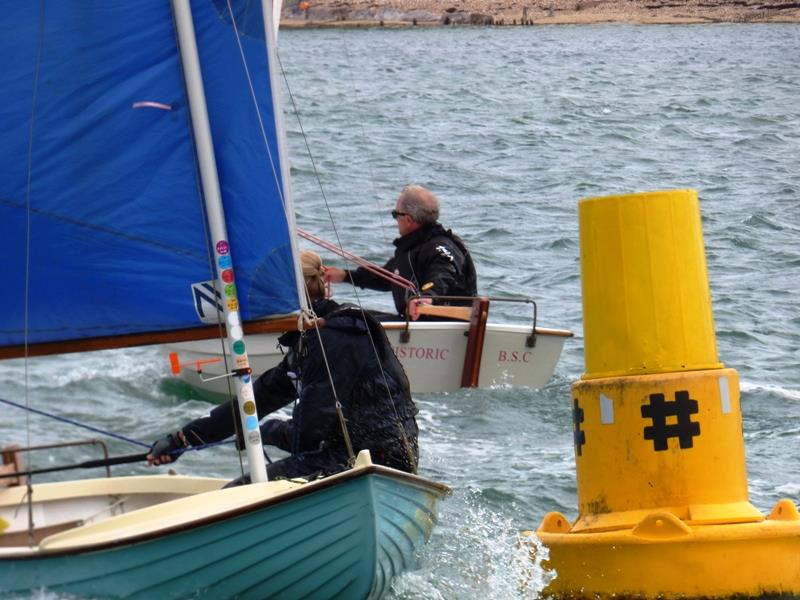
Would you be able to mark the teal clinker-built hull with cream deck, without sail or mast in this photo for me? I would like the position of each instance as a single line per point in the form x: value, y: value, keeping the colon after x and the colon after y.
x: 345, y: 536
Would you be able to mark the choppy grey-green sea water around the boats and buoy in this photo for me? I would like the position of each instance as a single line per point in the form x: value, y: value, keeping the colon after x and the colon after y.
x: 511, y: 127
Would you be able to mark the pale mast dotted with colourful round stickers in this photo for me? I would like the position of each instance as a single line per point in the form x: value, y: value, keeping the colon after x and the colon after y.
x: 219, y: 238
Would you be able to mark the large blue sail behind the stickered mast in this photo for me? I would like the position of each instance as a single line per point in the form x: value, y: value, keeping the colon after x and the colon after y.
x: 101, y: 210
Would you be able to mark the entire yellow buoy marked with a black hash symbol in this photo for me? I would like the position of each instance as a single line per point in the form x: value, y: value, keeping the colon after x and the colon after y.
x: 662, y: 484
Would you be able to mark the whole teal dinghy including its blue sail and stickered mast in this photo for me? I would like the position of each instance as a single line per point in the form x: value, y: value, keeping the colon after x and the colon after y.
x: 143, y: 178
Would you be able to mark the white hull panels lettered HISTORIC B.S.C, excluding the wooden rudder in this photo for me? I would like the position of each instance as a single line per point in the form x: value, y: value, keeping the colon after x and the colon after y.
x: 433, y: 356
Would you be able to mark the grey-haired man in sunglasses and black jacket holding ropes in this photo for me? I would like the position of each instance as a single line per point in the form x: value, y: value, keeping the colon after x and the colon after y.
x: 432, y: 257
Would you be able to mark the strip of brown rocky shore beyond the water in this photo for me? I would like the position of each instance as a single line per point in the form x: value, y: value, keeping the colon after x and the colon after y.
x: 410, y: 13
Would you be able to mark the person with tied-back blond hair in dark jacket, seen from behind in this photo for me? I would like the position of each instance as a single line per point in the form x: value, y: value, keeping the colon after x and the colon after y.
x: 362, y: 373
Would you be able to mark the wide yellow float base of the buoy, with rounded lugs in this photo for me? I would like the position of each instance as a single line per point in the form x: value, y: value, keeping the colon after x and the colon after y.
x: 663, y: 557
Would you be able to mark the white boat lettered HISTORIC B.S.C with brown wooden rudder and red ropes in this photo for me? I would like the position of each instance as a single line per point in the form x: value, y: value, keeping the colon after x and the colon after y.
x: 438, y: 356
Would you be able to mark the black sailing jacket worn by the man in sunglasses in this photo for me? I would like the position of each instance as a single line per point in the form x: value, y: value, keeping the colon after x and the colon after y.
x: 434, y: 258
